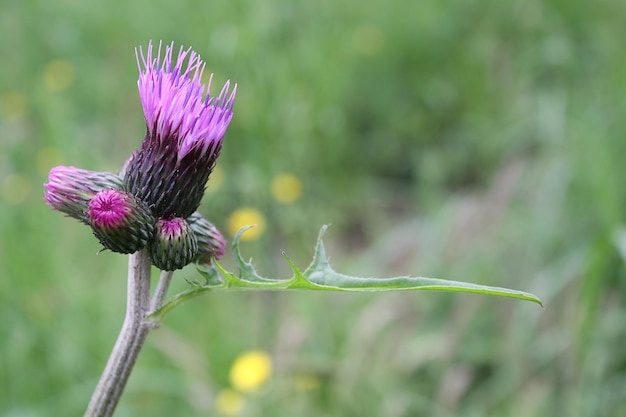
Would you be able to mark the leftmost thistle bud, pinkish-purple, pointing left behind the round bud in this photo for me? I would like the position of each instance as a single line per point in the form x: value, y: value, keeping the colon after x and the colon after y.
x: 69, y: 189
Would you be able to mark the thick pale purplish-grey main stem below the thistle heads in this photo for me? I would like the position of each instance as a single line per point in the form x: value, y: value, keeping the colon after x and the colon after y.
x: 129, y: 342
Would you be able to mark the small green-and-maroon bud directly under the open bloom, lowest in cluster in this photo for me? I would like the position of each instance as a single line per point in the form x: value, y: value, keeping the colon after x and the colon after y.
x: 174, y: 244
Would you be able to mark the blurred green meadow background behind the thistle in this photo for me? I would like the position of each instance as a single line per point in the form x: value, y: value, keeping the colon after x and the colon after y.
x: 467, y: 140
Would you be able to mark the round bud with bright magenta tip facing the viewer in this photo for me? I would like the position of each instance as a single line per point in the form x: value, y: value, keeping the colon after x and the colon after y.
x: 120, y: 221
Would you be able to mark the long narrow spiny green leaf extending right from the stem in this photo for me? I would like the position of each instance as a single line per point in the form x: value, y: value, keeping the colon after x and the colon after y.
x: 320, y: 276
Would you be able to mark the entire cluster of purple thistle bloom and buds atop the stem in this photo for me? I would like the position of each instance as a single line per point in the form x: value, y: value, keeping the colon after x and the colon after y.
x: 162, y: 183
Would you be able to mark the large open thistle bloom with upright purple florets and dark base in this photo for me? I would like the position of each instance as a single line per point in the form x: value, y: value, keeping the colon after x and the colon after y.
x: 184, y: 133
